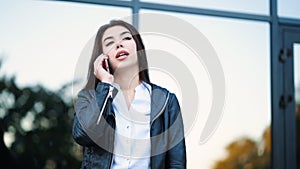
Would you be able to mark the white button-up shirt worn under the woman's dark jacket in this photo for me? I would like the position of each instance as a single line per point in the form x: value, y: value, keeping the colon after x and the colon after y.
x: 132, y: 147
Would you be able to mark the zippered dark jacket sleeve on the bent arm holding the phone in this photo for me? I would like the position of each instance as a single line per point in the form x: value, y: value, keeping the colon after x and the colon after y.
x: 89, y: 103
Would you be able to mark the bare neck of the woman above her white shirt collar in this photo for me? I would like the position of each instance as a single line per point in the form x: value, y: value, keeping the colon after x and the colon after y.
x: 127, y: 79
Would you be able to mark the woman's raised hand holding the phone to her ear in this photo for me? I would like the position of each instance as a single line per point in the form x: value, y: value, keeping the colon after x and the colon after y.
x: 100, y: 72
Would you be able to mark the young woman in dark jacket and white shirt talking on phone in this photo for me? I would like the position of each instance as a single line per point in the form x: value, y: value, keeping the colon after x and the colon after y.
x: 121, y: 118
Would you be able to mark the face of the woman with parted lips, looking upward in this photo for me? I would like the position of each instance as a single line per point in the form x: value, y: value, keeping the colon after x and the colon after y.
x: 119, y: 45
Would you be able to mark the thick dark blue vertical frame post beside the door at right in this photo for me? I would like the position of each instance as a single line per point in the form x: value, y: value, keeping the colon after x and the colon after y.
x: 278, y: 149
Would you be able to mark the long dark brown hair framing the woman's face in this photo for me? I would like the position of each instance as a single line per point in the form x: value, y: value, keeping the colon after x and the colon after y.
x: 92, y: 81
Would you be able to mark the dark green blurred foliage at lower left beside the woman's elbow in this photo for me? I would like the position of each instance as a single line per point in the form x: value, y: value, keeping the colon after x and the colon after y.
x: 41, y: 123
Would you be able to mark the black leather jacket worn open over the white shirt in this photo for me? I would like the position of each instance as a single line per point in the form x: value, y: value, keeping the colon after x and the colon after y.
x: 166, y: 132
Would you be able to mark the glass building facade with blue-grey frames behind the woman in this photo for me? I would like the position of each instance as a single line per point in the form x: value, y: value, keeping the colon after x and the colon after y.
x: 238, y: 60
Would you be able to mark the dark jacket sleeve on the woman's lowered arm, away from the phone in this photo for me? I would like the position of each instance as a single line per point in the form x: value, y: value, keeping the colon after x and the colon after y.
x: 176, y: 155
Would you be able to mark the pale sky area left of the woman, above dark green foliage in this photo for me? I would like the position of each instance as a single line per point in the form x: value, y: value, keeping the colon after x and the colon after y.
x: 42, y: 40
